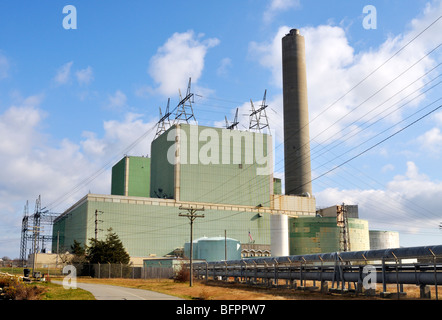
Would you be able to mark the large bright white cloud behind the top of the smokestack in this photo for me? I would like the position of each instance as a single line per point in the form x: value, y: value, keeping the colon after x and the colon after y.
x: 334, y: 67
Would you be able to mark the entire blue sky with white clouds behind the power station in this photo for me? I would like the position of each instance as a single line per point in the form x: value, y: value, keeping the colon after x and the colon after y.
x: 72, y: 101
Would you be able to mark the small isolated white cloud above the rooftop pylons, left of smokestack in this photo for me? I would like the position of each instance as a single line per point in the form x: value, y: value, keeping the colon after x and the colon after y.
x: 180, y: 58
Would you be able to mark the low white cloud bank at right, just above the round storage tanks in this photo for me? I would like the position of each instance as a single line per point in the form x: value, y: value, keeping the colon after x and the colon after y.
x: 409, y: 203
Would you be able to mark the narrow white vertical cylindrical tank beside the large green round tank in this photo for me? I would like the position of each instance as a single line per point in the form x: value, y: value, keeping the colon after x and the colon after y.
x: 279, y: 235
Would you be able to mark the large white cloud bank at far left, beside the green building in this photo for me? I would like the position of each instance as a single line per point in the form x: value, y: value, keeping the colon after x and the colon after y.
x: 34, y: 163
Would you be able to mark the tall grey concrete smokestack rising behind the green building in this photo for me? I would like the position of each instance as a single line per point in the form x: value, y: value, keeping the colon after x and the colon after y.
x: 296, y: 123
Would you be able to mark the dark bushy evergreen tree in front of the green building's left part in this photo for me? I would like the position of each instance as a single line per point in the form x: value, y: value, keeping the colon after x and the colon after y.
x: 110, y: 250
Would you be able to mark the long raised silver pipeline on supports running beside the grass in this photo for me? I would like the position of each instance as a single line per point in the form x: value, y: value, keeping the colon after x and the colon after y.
x: 421, y: 266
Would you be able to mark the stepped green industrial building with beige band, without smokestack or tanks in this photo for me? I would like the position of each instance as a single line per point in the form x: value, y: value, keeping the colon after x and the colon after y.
x: 227, y: 173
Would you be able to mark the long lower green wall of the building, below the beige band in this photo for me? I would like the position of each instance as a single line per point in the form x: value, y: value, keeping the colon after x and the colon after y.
x: 147, y: 228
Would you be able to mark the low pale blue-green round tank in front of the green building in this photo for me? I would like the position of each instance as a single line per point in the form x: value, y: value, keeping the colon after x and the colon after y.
x: 214, y: 249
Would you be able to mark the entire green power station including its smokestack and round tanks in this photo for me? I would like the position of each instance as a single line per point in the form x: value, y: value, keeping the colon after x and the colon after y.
x: 229, y: 174
